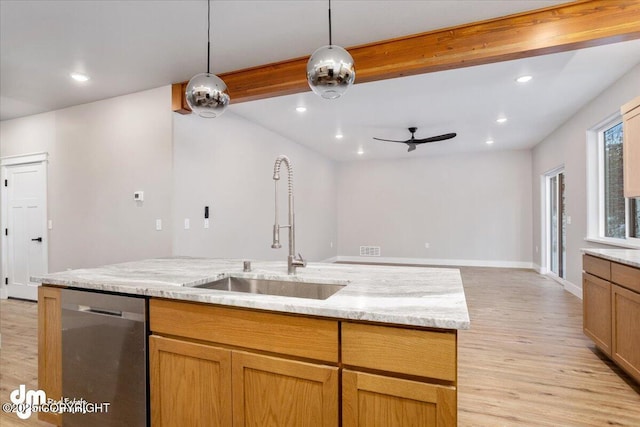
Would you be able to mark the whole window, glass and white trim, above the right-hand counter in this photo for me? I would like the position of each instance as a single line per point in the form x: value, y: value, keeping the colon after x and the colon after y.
x: 618, y: 218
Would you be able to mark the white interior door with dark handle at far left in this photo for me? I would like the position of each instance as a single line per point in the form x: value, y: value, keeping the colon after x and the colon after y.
x: 25, y: 228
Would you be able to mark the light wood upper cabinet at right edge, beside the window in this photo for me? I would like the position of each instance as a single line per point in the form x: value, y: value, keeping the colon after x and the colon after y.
x: 631, y: 147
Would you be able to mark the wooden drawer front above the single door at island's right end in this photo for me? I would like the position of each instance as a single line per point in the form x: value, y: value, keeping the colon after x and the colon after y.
x: 406, y: 351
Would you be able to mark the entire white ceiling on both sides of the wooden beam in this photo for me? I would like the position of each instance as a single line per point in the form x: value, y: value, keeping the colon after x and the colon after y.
x: 128, y: 46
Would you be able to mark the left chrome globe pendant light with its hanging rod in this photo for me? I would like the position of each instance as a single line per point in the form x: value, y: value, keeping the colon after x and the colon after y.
x: 206, y: 93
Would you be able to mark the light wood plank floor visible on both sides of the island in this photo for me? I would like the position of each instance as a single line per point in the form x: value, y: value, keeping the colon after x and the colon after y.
x: 525, y: 361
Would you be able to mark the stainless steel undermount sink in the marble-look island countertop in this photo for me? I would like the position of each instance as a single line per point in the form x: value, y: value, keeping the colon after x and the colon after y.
x: 274, y: 287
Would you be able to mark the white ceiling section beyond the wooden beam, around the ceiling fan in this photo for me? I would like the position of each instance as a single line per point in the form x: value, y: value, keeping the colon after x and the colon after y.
x: 466, y: 101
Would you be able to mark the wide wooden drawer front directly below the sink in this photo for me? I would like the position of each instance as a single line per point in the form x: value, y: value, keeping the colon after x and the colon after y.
x: 278, y: 333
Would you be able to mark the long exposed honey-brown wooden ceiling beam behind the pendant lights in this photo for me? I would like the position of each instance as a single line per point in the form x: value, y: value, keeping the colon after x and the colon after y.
x: 561, y: 28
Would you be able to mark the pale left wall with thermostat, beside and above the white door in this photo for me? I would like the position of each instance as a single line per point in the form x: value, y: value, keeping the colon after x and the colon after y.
x: 99, y: 154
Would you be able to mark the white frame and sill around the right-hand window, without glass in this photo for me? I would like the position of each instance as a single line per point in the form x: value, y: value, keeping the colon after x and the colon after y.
x: 596, y: 189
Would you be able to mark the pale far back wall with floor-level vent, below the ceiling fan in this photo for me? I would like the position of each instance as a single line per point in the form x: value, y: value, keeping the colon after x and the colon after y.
x: 472, y: 209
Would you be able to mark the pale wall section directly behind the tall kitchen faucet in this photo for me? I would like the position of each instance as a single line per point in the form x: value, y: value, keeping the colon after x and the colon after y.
x: 227, y: 164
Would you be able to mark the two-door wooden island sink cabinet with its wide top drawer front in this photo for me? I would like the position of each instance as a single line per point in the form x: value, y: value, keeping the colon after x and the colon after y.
x: 212, y: 356
